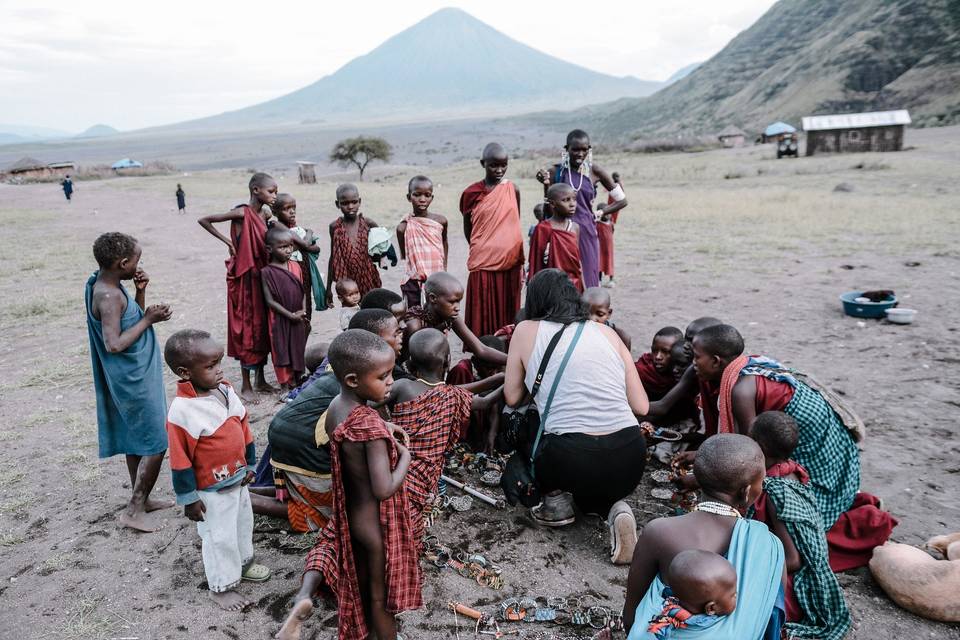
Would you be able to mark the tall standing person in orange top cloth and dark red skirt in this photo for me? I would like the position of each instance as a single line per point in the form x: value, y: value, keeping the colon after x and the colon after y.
x: 491, y: 224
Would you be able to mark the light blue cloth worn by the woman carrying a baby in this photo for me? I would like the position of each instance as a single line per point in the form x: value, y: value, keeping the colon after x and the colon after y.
x: 757, y: 555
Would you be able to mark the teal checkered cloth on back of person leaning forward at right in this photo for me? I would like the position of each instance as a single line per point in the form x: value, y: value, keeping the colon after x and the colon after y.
x: 827, y: 451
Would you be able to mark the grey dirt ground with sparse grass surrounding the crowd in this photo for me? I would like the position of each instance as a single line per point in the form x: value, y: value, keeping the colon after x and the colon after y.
x: 764, y: 244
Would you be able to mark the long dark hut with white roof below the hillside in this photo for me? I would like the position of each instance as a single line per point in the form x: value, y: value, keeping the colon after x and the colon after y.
x: 854, y: 132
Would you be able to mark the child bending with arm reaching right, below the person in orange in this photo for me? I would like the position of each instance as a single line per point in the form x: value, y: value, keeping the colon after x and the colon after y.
x: 441, y: 310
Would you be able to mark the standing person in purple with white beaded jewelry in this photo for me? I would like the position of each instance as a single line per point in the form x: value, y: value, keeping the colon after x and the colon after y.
x: 579, y: 171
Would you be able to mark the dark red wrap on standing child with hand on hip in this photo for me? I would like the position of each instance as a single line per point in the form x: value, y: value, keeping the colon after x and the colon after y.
x: 248, y: 338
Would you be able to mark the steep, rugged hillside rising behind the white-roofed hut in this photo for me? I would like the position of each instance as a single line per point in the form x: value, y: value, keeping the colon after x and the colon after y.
x: 808, y: 57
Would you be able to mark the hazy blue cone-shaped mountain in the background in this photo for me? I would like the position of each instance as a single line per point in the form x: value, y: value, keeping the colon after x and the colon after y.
x: 448, y: 65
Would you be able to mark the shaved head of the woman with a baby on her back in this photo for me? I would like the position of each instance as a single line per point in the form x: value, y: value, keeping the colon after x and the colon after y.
x: 728, y: 462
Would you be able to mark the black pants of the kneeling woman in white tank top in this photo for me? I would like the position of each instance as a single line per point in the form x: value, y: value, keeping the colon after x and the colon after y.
x: 597, y: 470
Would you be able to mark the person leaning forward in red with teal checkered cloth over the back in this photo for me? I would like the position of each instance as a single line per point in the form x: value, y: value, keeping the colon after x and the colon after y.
x: 751, y: 385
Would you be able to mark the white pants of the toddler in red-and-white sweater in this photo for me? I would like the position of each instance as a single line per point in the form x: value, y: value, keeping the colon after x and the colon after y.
x: 227, y: 535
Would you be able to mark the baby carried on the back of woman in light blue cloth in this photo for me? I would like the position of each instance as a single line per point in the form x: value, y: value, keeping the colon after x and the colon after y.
x: 702, y: 584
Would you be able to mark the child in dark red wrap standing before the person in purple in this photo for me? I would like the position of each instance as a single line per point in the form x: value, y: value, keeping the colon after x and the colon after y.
x: 555, y: 242
